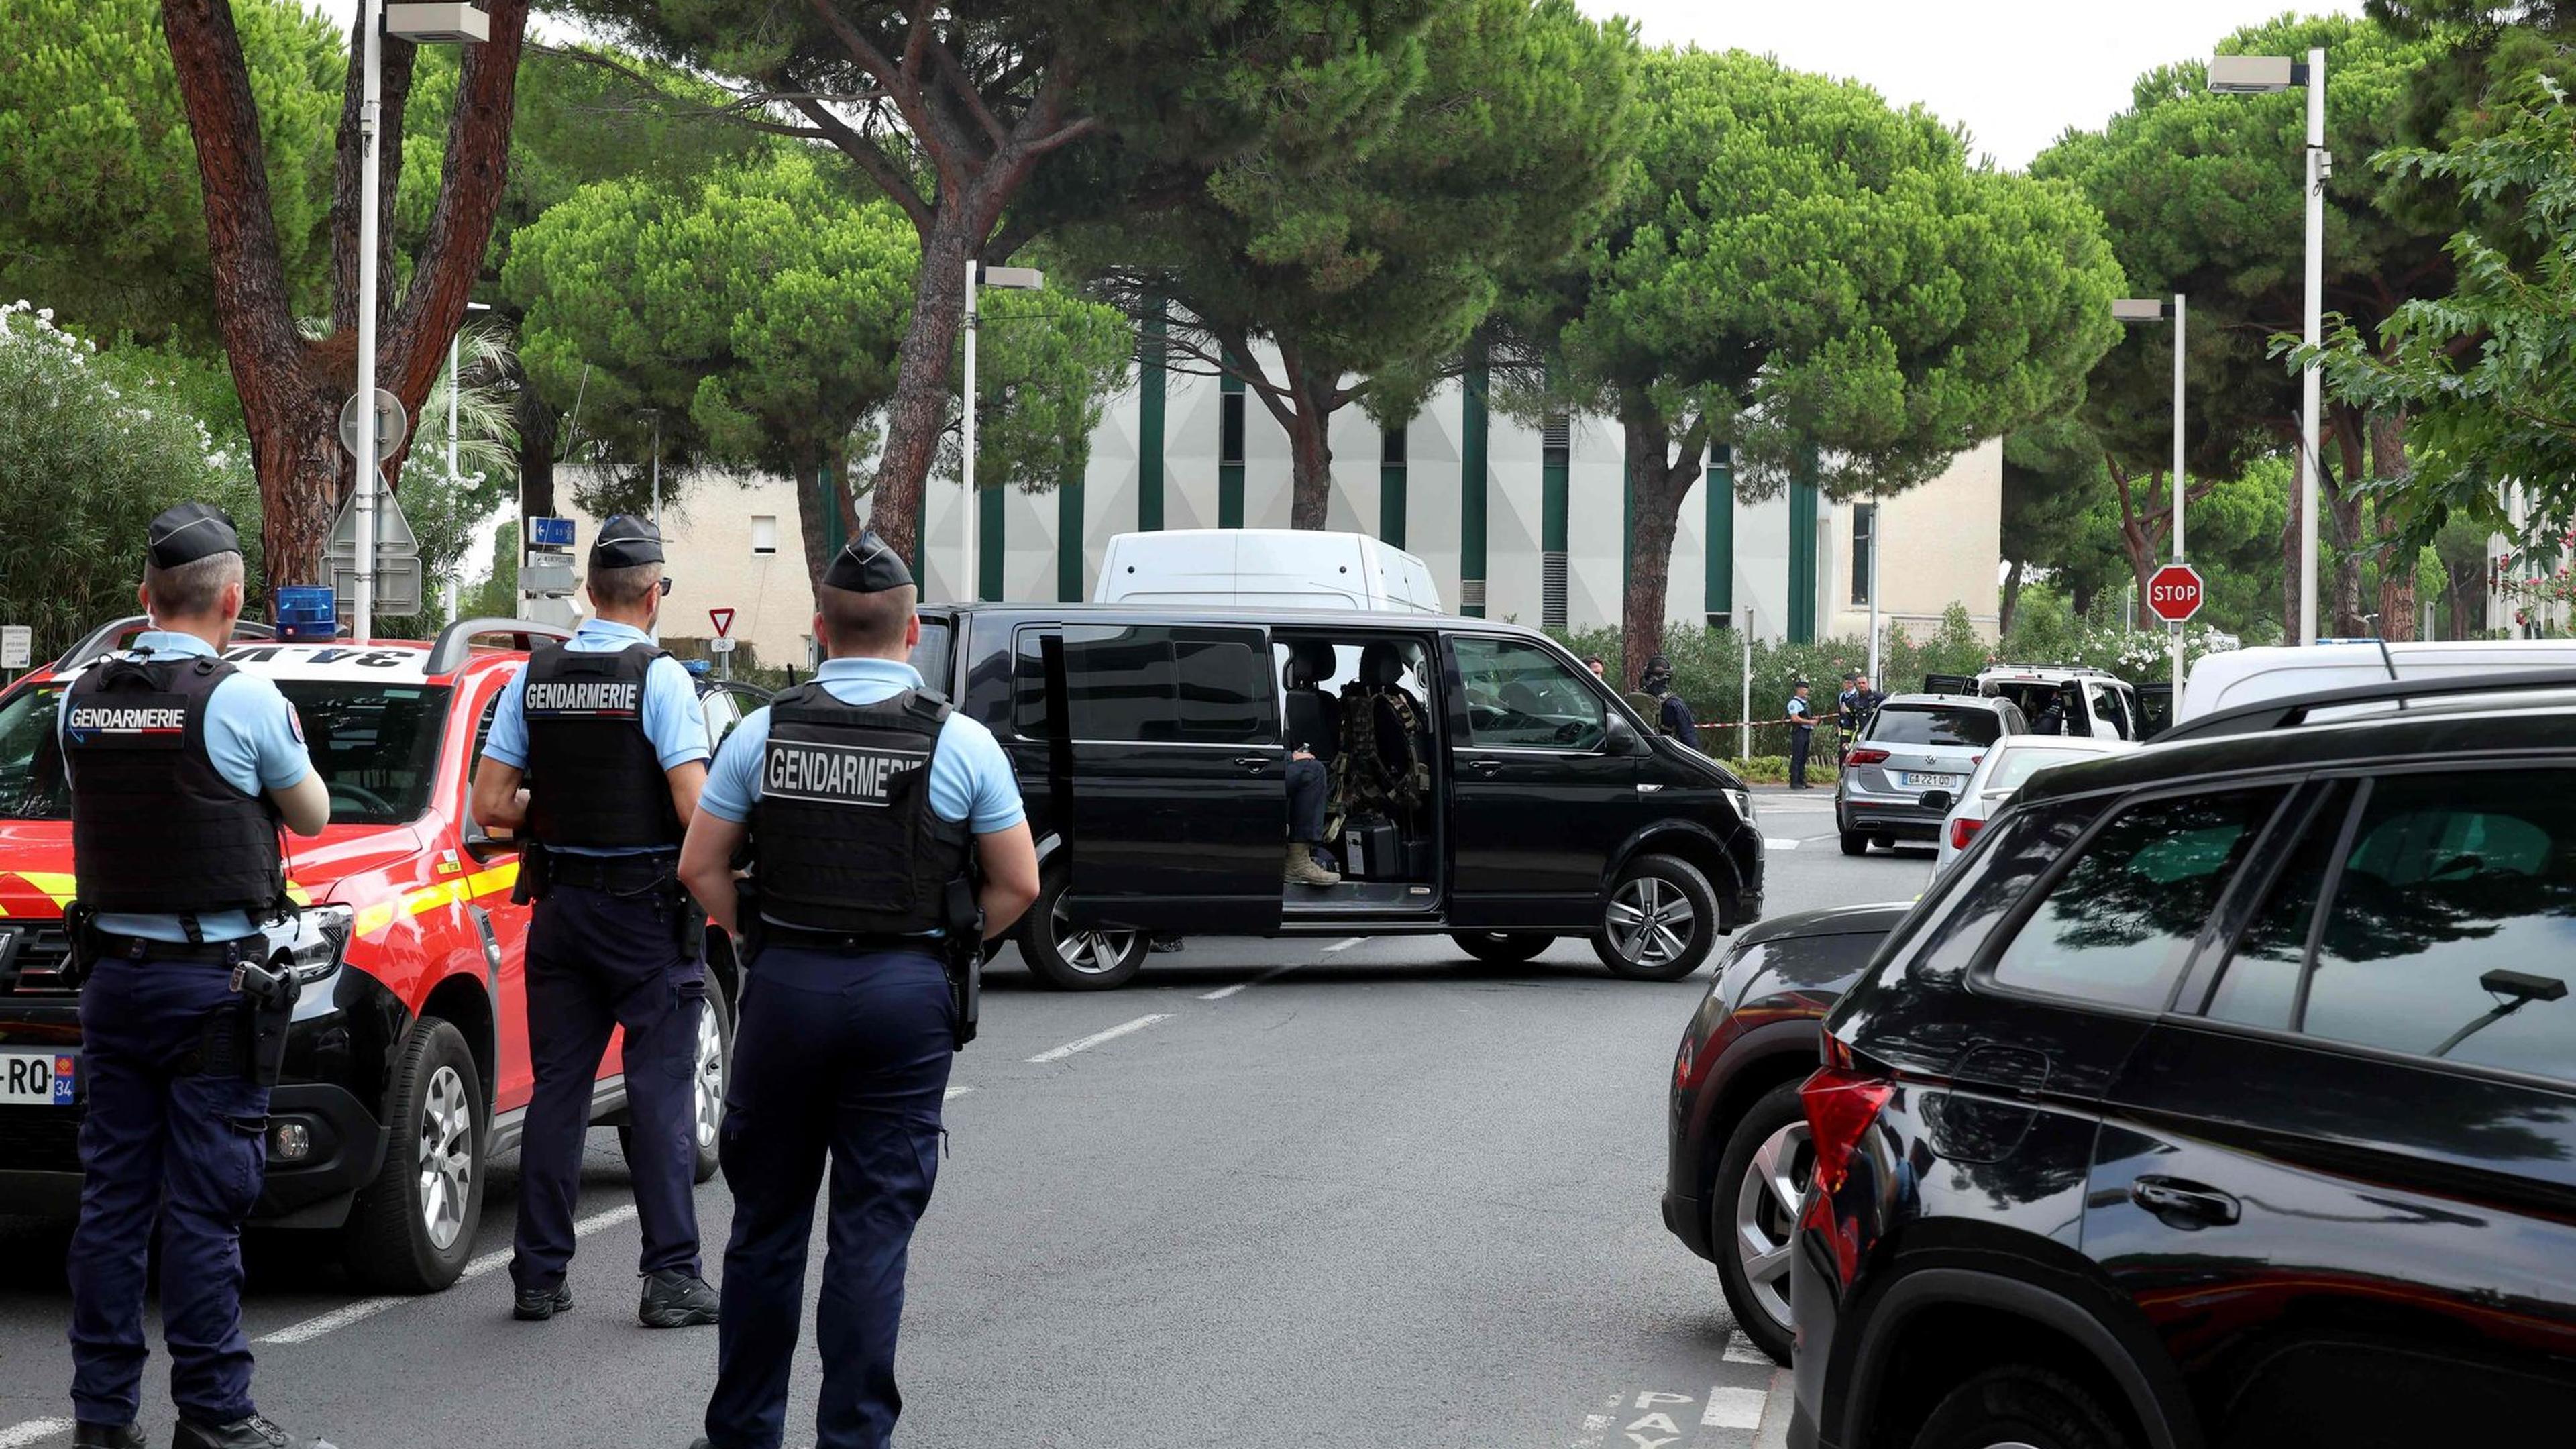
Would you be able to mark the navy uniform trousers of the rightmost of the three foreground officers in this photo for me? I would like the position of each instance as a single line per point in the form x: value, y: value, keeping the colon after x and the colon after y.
x: 841, y: 1061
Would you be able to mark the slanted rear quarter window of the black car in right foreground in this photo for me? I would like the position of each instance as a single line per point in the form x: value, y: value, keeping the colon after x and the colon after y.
x: 2124, y: 917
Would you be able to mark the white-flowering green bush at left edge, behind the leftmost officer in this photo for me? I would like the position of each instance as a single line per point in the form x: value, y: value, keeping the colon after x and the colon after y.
x: 91, y: 447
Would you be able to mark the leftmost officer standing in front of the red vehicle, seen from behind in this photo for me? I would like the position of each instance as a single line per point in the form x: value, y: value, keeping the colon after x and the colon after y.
x: 182, y: 775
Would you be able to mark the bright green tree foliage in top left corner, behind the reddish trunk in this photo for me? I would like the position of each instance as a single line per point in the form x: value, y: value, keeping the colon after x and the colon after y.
x: 99, y: 171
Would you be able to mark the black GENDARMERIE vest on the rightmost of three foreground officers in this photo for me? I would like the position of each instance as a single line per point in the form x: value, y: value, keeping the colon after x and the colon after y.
x: 844, y: 837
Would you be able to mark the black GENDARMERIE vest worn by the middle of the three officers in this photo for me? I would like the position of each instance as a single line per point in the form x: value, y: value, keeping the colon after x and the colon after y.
x: 594, y: 775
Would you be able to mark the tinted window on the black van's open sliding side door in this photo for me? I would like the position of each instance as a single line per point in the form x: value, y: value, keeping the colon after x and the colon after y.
x: 1168, y: 685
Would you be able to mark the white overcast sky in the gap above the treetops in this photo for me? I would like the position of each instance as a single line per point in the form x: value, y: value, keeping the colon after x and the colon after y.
x: 2013, y: 71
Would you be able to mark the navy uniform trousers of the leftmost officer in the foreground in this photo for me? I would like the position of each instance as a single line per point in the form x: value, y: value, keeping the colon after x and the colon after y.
x: 171, y: 1149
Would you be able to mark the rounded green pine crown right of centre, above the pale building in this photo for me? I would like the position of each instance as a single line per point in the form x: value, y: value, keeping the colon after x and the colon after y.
x: 1804, y: 267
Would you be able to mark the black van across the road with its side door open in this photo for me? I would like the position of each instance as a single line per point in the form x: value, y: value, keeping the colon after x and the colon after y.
x: 1153, y: 757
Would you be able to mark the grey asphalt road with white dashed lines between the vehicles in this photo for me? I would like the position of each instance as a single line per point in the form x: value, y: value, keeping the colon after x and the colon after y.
x: 1310, y: 1195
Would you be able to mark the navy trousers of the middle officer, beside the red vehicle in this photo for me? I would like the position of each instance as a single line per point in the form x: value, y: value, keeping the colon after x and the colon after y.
x: 601, y: 960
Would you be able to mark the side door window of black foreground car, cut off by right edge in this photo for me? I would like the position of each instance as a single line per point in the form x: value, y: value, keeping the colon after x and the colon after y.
x: 2454, y: 927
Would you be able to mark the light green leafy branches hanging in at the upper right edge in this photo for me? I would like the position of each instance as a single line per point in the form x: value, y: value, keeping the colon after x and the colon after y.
x: 2485, y: 373
